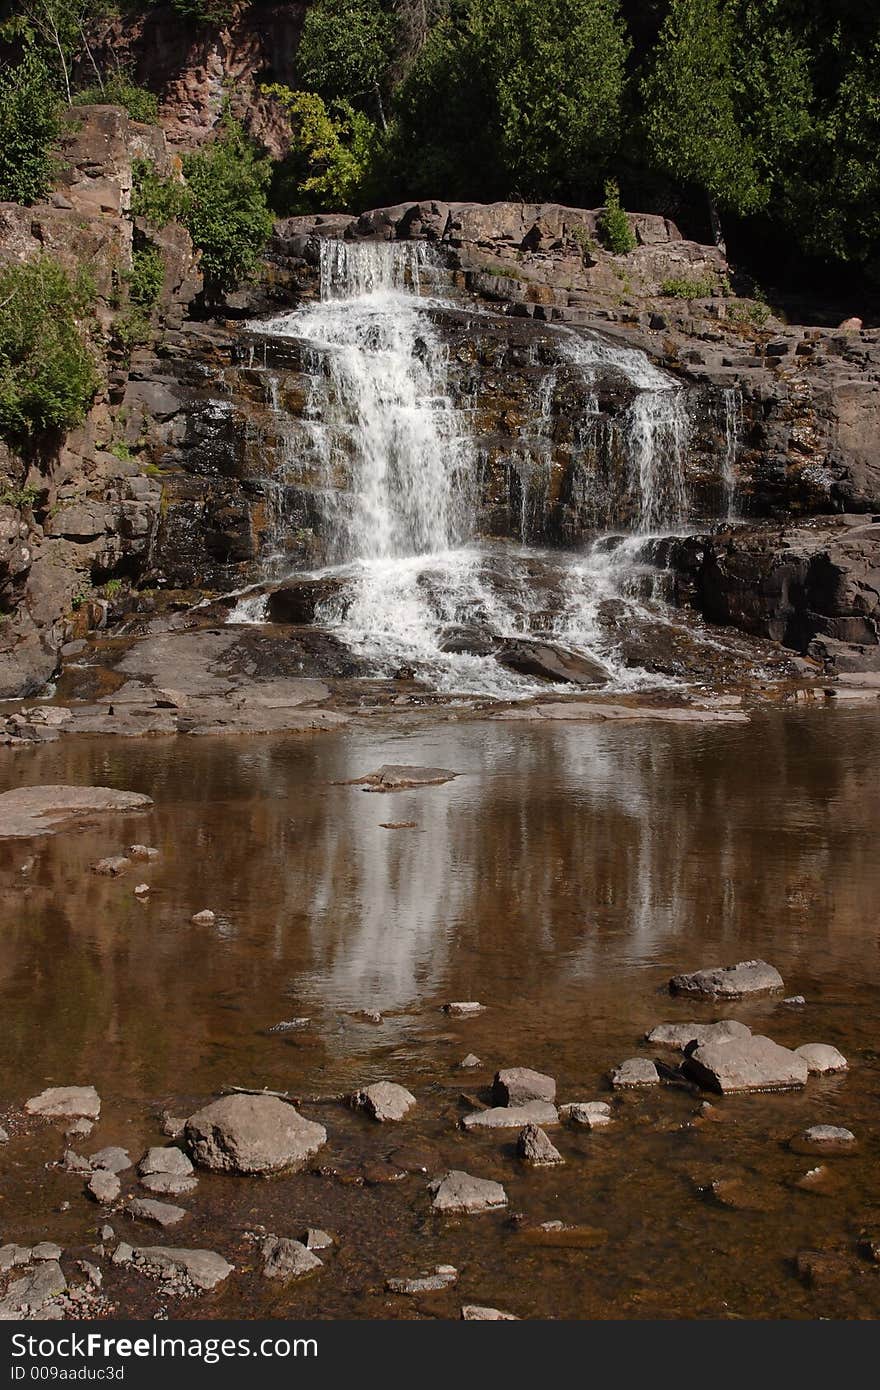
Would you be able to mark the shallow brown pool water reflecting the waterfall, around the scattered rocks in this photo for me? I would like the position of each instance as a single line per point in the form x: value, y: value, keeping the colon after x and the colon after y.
x: 561, y: 881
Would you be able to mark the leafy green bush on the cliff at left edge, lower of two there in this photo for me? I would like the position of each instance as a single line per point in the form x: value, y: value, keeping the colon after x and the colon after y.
x: 48, y: 375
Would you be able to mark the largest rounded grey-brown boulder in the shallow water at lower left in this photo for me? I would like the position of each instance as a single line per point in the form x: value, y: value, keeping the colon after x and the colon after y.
x: 252, y: 1135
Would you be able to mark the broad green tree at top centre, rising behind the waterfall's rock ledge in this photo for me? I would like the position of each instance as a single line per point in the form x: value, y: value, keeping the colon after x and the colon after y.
x: 518, y: 97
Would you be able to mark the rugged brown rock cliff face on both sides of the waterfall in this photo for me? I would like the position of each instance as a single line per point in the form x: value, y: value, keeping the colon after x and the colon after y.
x: 191, y: 468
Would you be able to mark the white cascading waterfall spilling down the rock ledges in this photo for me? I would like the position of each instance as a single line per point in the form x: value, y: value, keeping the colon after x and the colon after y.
x: 398, y: 476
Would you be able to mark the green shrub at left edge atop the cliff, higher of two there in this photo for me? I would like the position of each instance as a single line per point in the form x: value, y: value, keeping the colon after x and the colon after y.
x: 30, y: 130
